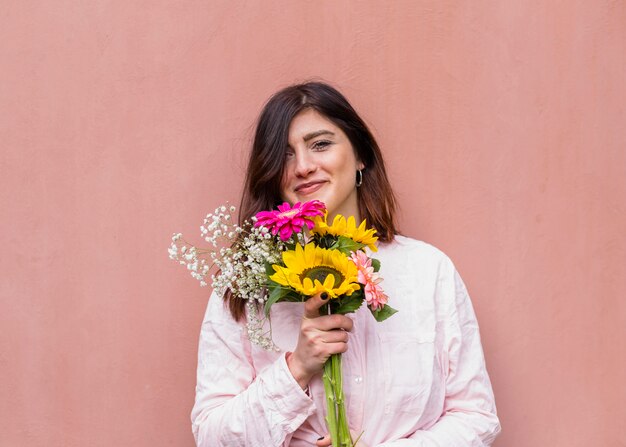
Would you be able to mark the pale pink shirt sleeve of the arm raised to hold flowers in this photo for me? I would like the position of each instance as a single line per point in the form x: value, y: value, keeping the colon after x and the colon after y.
x: 235, y: 404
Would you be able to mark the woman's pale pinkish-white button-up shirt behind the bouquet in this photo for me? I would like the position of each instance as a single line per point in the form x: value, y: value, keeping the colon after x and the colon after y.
x: 416, y: 379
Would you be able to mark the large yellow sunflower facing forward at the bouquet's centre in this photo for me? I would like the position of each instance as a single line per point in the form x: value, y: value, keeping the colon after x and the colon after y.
x: 311, y: 270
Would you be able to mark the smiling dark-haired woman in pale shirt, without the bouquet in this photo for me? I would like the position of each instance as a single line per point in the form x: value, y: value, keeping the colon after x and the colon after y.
x: 416, y: 379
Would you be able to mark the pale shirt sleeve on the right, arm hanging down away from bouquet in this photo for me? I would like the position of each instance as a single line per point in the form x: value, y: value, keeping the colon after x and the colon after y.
x: 469, y: 416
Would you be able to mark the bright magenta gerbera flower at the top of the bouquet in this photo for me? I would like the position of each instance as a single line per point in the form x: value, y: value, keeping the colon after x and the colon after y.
x: 288, y: 220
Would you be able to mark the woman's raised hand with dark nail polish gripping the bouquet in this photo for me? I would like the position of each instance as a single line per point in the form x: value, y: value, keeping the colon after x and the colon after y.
x: 320, y: 337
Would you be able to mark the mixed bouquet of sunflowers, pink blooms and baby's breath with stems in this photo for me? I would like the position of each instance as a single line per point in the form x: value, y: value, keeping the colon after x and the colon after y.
x: 291, y: 254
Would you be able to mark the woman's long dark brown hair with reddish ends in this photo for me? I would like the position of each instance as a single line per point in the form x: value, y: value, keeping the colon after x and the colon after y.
x: 261, y: 191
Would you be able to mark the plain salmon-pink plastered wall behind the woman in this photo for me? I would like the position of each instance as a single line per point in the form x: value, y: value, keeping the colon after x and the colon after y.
x: 120, y: 122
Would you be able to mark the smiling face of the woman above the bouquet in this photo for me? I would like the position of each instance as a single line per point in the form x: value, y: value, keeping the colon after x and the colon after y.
x: 320, y: 164
